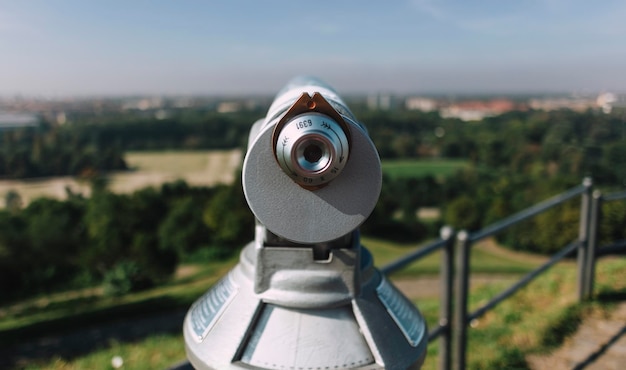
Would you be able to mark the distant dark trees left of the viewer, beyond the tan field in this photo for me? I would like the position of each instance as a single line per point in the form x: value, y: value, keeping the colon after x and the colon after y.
x: 95, y: 145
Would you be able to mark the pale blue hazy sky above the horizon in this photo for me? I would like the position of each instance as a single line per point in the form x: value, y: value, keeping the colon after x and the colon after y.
x: 77, y: 47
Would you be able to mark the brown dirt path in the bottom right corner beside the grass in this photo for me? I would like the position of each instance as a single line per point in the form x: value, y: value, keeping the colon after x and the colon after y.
x: 598, y: 344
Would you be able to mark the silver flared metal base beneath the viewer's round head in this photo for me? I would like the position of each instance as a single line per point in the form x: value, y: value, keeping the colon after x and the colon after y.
x: 372, y: 326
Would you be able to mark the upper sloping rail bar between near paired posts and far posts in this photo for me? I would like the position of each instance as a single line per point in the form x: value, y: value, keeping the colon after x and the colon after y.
x: 527, y: 213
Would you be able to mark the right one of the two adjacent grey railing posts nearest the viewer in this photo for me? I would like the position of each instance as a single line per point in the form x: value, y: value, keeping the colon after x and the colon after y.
x: 461, y: 278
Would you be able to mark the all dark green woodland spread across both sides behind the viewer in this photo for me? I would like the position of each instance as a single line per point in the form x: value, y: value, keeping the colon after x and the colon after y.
x: 136, y: 240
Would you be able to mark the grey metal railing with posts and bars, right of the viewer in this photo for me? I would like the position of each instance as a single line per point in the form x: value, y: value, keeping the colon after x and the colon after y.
x: 454, y: 318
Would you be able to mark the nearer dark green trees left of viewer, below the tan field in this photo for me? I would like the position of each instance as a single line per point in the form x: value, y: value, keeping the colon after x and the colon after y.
x: 127, y: 242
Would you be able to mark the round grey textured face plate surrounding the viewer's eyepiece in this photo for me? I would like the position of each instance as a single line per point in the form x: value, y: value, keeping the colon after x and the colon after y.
x: 303, y: 215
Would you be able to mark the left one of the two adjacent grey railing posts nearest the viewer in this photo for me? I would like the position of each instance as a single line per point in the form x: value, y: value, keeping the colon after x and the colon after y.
x: 445, y: 303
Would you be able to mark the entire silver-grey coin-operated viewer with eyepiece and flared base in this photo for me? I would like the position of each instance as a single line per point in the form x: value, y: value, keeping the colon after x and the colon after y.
x: 305, y: 294
